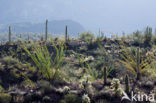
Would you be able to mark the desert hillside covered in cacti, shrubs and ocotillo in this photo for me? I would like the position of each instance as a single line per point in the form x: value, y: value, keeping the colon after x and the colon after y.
x: 87, y: 69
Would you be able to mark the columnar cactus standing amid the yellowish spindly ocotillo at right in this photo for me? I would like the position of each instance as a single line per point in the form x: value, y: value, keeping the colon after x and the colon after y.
x: 138, y: 64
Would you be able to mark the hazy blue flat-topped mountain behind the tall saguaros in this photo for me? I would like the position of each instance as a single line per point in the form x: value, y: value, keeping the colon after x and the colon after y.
x: 54, y: 27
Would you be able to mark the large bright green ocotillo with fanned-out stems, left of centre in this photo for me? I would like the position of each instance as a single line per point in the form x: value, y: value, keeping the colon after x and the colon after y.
x: 47, y: 64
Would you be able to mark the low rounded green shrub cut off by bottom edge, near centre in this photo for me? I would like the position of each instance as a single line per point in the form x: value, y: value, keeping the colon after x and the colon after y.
x: 71, y: 98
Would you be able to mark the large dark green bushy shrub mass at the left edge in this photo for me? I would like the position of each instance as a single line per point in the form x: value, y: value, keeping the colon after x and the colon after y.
x: 12, y: 71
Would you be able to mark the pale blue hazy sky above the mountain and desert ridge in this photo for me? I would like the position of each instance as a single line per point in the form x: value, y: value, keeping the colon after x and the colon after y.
x: 109, y: 15
